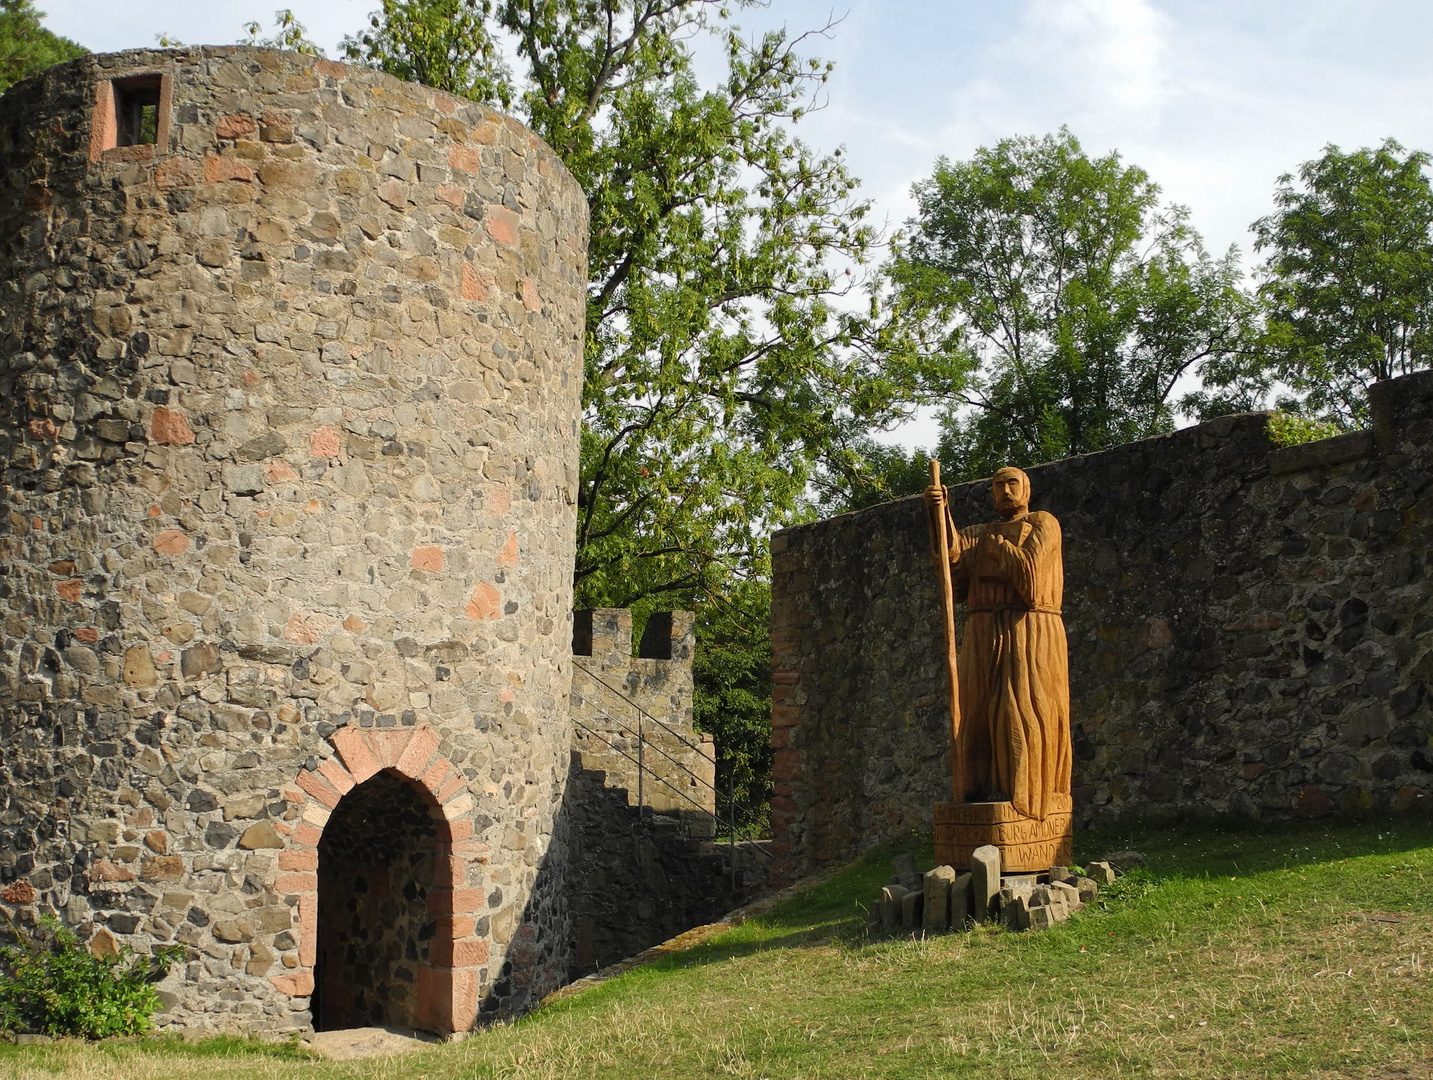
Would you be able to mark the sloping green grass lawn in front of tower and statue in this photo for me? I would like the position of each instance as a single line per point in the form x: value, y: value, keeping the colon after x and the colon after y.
x: 1300, y: 952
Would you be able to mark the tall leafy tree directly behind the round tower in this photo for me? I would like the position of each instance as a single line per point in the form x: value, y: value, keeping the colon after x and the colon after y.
x: 719, y: 367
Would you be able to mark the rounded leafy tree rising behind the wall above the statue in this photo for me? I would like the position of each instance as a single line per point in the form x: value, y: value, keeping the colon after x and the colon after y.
x: 1058, y: 302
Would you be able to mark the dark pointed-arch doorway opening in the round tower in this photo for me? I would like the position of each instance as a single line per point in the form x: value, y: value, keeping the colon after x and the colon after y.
x: 378, y: 870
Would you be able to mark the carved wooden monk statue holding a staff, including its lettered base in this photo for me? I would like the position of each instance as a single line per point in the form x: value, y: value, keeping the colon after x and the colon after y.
x: 1011, y: 761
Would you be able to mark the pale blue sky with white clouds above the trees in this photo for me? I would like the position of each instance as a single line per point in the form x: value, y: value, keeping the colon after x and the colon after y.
x: 1213, y: 98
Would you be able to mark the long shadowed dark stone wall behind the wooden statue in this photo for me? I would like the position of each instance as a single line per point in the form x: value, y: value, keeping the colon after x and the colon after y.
x: 1252, y: 637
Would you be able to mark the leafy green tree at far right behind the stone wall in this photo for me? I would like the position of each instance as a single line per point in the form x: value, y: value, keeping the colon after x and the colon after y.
x: 1349, y: 279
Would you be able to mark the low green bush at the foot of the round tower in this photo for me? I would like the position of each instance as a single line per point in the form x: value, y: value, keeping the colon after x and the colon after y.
x: 51, y: 985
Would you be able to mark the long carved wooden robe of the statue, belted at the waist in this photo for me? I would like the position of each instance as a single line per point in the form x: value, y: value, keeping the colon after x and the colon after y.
x: 1015, y: 705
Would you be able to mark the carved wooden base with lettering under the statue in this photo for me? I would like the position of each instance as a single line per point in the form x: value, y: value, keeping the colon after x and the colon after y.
x: 1027, y: 846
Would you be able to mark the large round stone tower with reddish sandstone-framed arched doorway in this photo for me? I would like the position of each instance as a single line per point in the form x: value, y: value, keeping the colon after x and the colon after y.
x: 290, y: 365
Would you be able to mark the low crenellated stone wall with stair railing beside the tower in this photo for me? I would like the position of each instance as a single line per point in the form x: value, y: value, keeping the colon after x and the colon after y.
x: 644, y: 863
